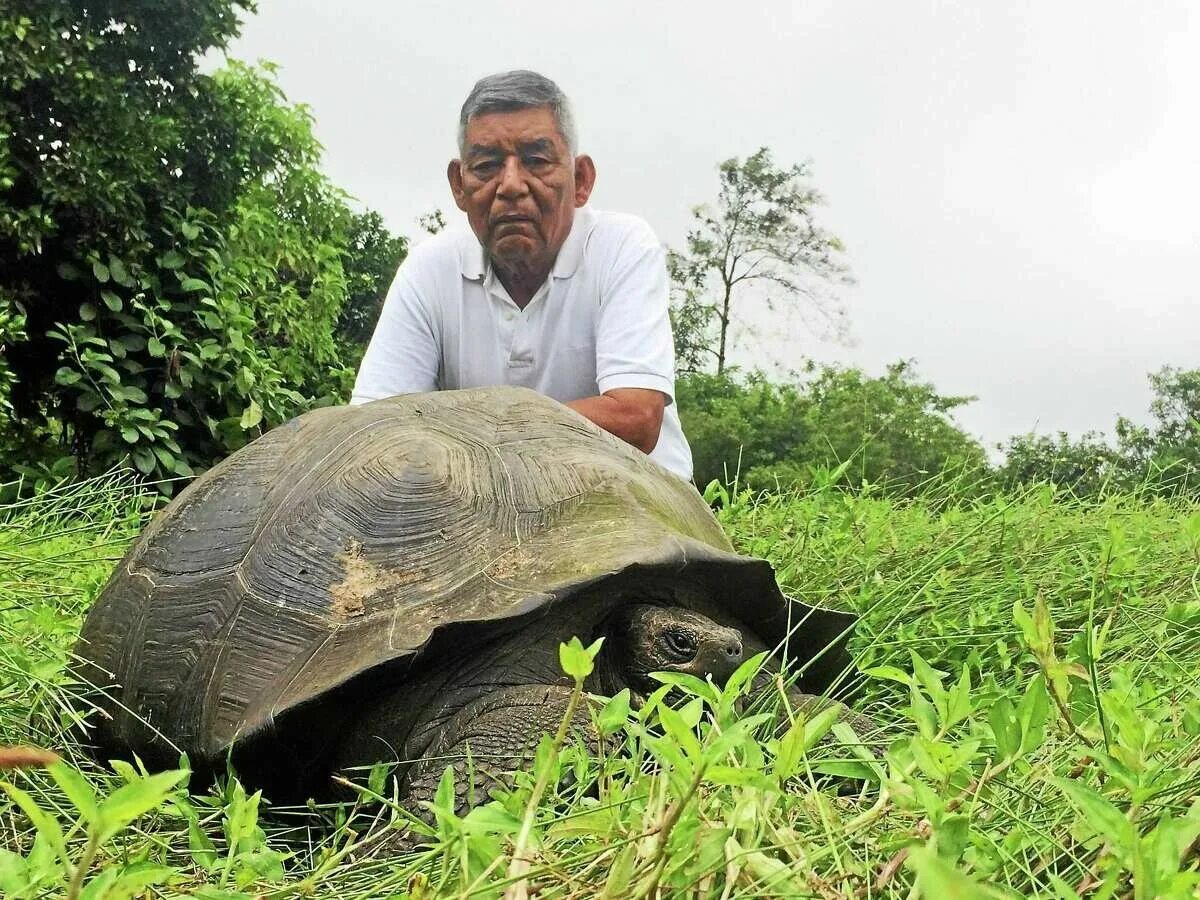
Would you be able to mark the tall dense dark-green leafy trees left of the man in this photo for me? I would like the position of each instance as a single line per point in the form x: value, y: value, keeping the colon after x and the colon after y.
x: 163, y: 299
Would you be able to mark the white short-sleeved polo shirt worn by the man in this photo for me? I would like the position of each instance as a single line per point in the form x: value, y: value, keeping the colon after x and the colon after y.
x: 599, y: 322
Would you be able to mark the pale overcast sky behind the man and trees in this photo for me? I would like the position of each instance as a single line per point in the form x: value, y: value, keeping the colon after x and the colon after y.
x: 1017, y: 184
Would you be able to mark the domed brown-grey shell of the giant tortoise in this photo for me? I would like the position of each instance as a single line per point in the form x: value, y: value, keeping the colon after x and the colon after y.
x: 344, y: 541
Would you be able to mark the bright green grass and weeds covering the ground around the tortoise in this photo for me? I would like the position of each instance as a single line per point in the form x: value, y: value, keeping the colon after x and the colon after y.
x: 1035, y: 665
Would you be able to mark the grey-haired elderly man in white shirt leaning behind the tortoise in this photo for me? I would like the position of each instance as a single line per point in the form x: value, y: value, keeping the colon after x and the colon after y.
x: 549, y: 293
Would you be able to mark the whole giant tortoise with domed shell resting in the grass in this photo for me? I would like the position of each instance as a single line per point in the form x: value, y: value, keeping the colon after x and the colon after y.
x: 392, y: 581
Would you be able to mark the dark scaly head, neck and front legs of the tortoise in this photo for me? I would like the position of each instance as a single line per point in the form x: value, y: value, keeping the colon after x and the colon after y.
x: 484, y: 712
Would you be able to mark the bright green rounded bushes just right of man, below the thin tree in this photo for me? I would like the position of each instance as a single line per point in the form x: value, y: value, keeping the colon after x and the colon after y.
x: 892, y: 431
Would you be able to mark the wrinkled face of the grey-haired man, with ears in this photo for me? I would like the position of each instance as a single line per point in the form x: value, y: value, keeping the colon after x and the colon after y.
x: 520, y: 187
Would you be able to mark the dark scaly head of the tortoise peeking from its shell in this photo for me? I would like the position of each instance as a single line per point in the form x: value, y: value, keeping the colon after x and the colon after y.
x: 644, y: 638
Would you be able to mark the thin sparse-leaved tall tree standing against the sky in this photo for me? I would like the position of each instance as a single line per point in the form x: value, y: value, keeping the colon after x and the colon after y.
x: 761, y: 232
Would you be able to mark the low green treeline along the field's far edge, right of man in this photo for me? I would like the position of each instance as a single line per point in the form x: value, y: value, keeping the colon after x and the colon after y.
x: 895, y: 435
